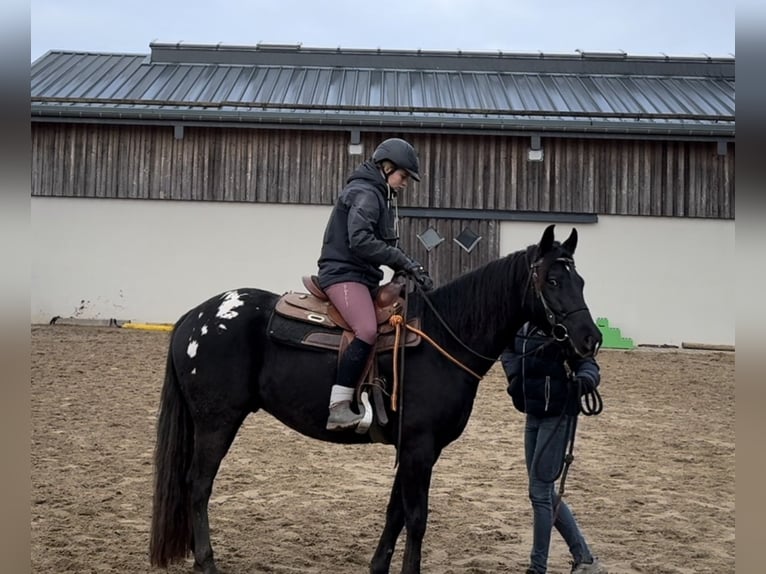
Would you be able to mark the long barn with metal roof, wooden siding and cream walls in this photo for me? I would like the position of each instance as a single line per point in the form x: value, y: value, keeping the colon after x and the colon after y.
x: 161, y: 179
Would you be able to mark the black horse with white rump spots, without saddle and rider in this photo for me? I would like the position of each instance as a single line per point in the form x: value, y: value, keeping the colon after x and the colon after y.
x: 223, y: 365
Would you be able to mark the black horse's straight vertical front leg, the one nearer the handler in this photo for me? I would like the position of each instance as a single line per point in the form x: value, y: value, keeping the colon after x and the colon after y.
x: 416, y: 462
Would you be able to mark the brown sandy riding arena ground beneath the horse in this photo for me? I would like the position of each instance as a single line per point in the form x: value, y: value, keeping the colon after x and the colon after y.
x: 652, y: 483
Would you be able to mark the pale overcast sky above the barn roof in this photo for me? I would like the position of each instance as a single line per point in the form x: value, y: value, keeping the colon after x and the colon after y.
x: 638, y: 27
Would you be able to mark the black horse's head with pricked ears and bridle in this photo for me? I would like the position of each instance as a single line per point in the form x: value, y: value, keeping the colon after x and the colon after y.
x: 559, y: 304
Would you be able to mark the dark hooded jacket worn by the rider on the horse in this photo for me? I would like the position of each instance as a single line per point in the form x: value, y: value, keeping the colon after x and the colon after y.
x: 360, y: 235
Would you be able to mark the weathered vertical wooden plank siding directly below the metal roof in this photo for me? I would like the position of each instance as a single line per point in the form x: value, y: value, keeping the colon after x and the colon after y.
x: 602, y: 176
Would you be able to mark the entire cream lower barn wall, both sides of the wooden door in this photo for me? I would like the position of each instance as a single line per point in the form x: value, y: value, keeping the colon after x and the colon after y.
x: 659, y: 280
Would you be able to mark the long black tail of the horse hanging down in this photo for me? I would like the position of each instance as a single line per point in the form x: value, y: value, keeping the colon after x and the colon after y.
x: 171, y: 529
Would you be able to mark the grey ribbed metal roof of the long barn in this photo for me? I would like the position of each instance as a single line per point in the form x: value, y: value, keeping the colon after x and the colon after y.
x: 378, y: 89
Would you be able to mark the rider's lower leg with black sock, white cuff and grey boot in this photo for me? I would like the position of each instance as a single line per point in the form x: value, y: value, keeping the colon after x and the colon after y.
x: 350, y: 369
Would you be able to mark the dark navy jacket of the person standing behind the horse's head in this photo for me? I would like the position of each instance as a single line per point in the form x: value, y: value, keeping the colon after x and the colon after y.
x: 539, y: 383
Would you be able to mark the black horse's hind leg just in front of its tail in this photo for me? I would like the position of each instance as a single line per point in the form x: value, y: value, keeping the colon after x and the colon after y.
x: 210, y: 446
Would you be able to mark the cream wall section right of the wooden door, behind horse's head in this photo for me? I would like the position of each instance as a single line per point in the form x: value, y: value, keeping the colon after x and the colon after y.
x: 659, y: 280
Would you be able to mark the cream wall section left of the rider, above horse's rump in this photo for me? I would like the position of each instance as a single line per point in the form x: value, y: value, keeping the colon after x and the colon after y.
x: 153, y: 260
